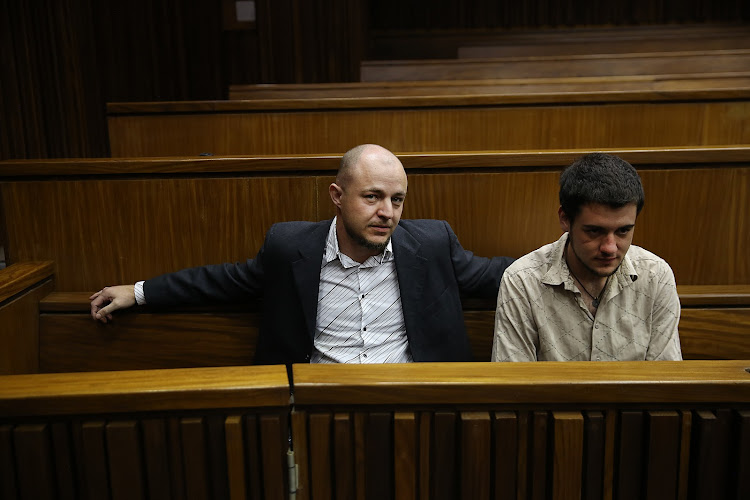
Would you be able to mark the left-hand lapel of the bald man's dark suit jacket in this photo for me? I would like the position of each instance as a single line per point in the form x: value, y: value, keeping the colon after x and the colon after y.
x: 306, y: 272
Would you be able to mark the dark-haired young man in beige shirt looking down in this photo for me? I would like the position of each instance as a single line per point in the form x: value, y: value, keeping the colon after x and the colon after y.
x: 590, y: 295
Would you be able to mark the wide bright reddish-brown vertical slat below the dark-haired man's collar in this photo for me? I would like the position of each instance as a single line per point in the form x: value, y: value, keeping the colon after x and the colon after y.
x: 567, y: 455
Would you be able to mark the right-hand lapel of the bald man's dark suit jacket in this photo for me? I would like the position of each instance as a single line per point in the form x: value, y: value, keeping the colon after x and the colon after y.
x: 411, y: 268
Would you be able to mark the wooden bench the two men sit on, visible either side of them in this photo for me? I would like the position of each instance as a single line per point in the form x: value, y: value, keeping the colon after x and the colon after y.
x: 55, y: 332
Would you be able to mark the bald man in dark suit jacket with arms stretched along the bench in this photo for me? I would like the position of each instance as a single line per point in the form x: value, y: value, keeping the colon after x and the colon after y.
x: 365, y: 287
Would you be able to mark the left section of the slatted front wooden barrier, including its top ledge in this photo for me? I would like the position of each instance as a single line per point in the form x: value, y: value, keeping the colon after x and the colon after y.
x: 201, y: 433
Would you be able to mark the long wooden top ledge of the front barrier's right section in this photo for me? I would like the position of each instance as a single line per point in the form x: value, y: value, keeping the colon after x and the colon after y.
x: 587, y: 383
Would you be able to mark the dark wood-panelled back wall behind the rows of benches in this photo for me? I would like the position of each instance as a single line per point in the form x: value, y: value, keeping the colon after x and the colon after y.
x: 62, y: 61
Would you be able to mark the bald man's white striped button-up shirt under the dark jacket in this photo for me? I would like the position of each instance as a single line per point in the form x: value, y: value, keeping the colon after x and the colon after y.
x: 360, y: 319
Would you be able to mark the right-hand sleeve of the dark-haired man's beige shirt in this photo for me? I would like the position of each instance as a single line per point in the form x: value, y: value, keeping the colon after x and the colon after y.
x: 664, y: 344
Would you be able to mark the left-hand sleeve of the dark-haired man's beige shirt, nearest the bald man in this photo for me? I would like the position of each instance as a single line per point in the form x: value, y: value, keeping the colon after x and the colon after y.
x: 516, y: 336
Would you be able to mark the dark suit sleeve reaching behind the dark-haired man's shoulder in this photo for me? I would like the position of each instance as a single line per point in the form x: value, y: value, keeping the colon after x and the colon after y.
x: 477, y: 276
